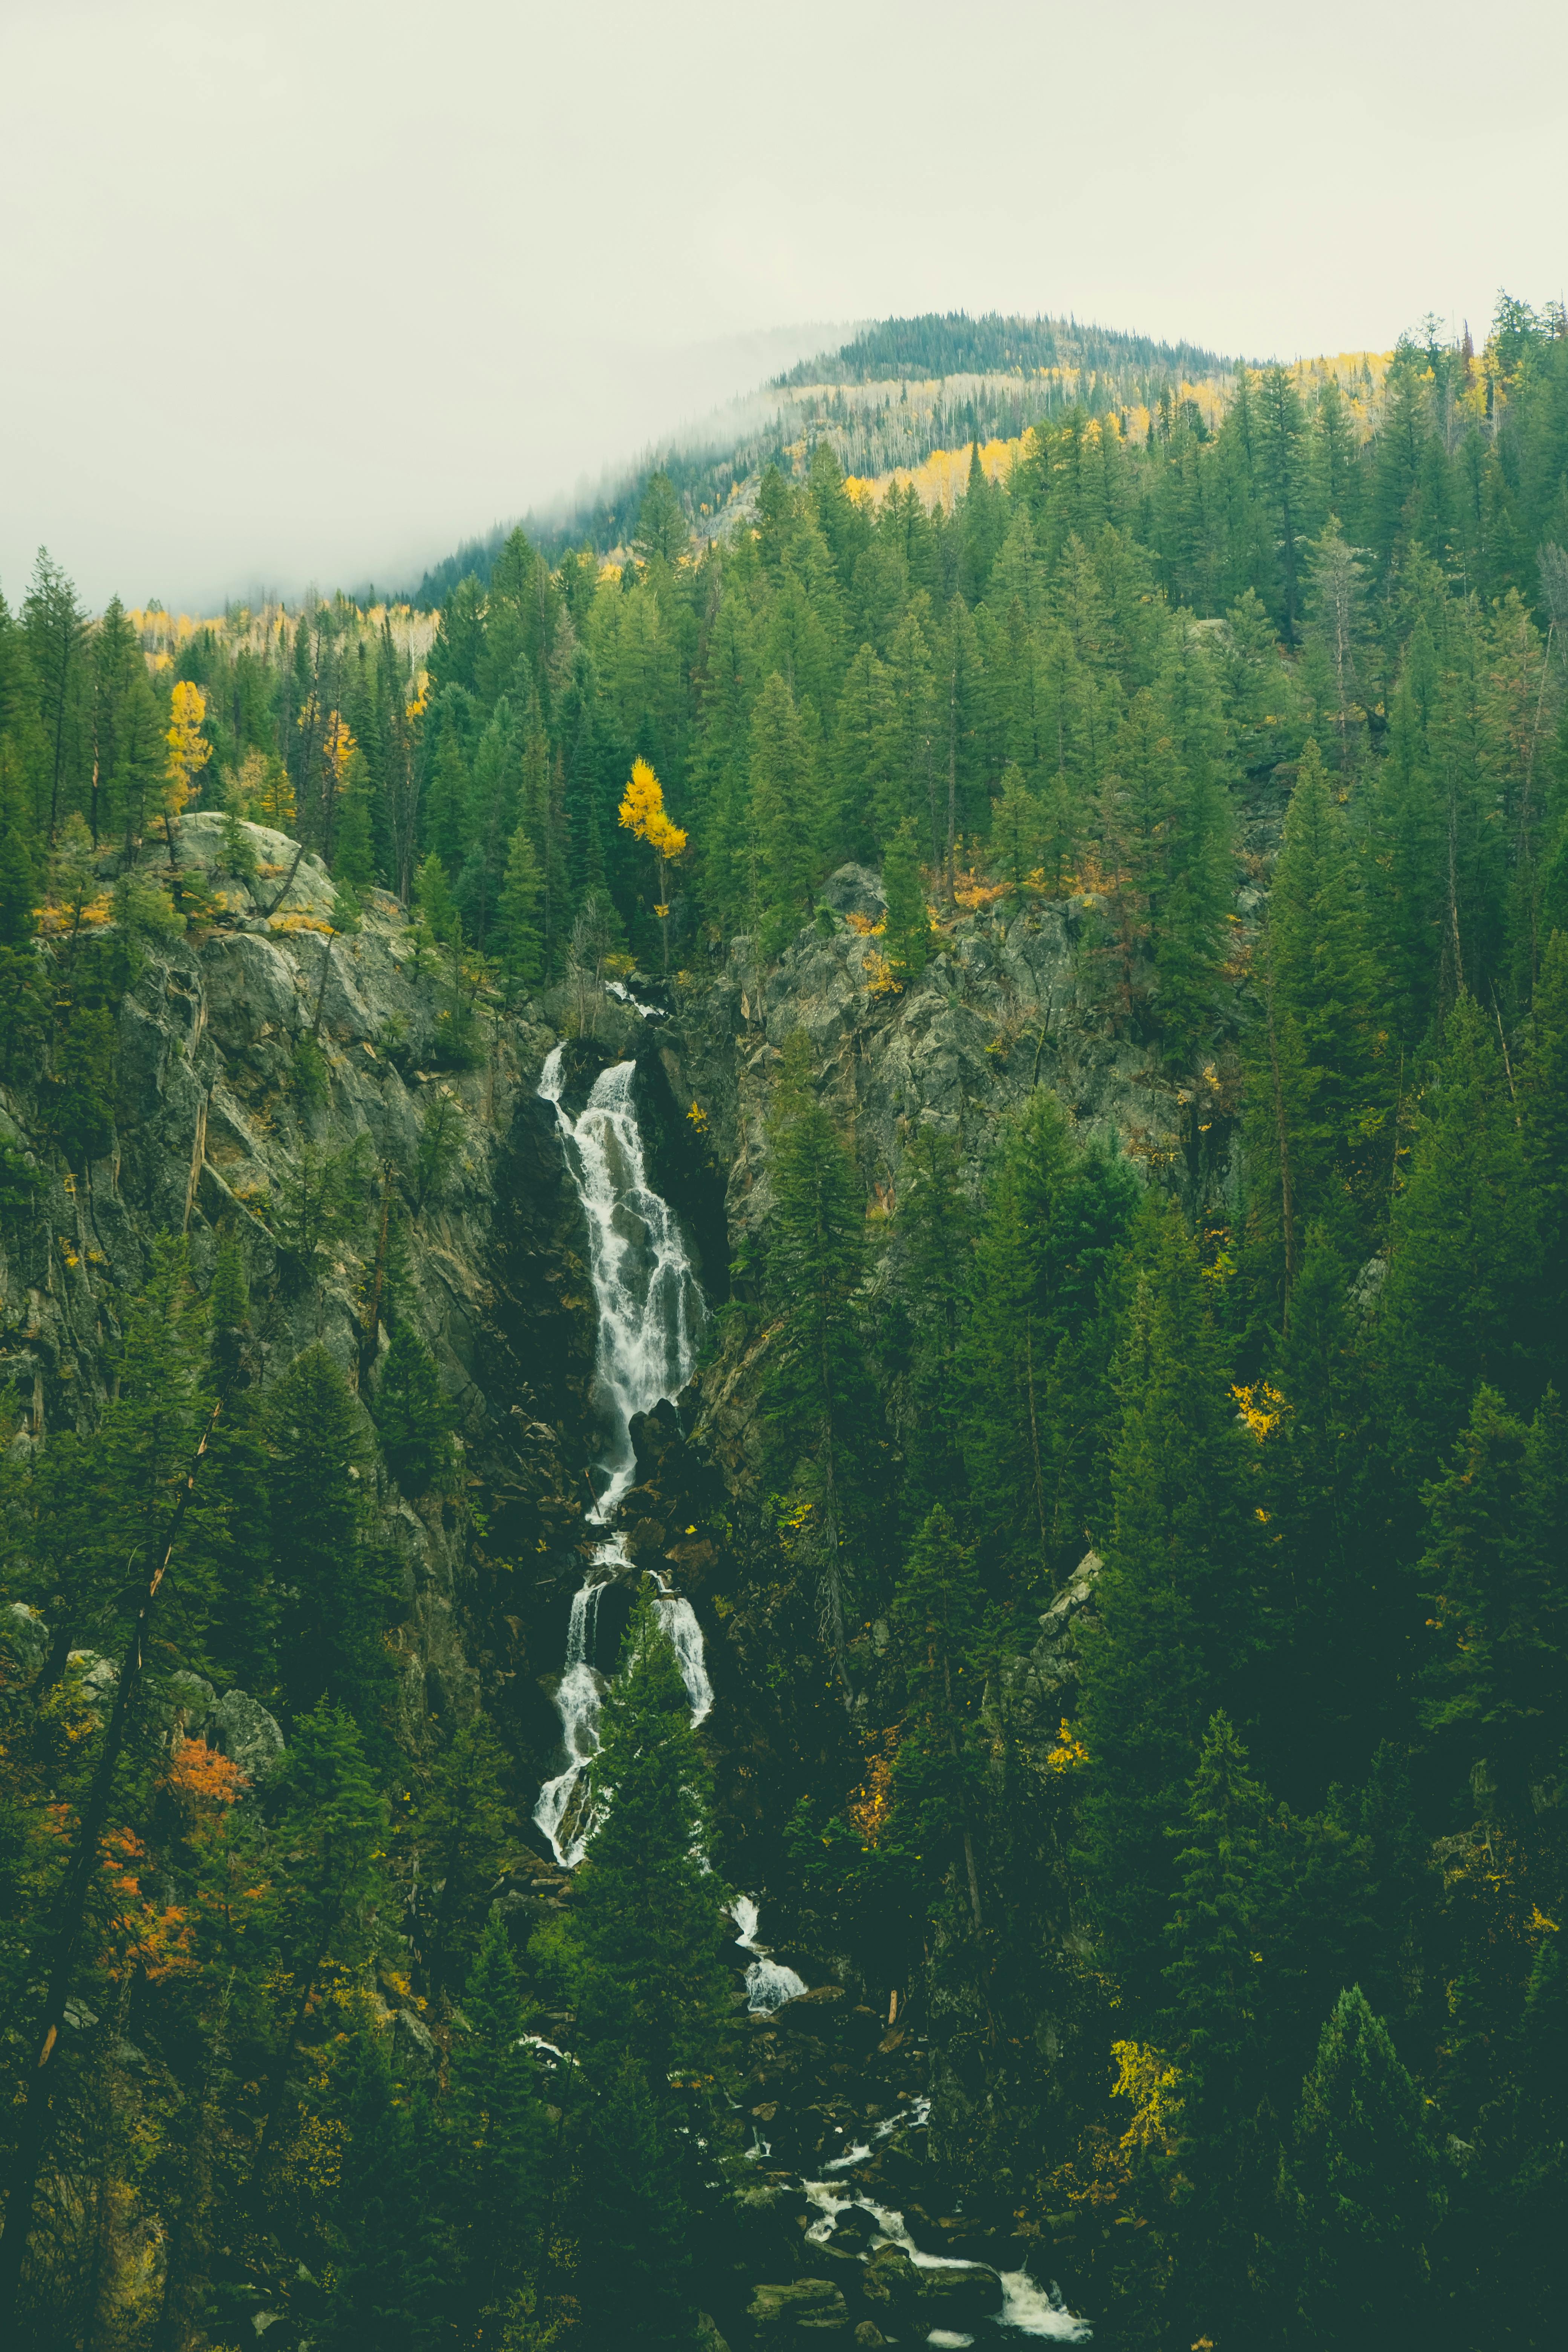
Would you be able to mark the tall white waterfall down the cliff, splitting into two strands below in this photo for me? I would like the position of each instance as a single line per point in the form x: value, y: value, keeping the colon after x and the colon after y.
x: 652, y: 1316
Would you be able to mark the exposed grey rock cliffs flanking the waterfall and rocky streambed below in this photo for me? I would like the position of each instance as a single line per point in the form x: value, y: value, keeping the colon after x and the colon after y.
x: 217, y: 1114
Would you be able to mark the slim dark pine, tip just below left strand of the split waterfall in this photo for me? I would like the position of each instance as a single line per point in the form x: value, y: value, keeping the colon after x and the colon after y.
x: 502, y: 2139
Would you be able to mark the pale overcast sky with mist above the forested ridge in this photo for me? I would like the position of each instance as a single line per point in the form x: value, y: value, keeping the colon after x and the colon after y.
x: 309, y: 290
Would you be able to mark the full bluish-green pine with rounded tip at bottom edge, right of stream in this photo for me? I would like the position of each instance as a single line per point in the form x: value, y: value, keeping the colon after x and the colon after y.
x: 1365, y: 2189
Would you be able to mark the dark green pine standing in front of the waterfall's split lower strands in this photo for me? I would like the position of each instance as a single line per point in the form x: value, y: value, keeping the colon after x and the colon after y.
x: 645, y: 1920
